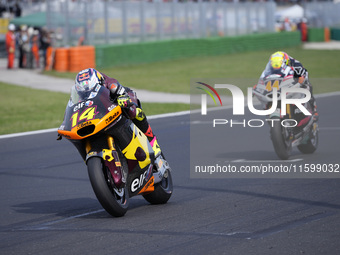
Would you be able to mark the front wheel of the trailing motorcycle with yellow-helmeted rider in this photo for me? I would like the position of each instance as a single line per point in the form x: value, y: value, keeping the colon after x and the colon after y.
x: 280, y: 139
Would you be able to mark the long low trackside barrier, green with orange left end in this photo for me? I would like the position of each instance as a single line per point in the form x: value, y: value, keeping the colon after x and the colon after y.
x: 74, y: 59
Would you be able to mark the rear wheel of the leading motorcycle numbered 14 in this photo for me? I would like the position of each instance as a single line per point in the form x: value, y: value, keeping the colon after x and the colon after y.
x: 163, y: 190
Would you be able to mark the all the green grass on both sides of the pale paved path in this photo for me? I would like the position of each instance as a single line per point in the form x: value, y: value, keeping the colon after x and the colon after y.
x: 28, y: 109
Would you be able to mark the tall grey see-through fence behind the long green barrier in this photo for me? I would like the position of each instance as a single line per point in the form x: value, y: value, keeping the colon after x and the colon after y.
x: 122, y: 22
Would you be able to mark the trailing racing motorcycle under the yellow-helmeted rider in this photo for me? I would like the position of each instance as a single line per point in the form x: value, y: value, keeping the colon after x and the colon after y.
x: 294, y: 129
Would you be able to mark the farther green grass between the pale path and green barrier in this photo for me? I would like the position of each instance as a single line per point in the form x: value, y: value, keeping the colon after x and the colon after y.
x: 174, y: 75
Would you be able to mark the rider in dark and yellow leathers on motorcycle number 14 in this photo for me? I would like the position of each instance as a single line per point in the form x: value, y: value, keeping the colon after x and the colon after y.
x: 126, y: 98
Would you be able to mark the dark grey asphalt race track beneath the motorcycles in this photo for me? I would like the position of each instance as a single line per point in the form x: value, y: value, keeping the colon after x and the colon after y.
x: 48, y: 206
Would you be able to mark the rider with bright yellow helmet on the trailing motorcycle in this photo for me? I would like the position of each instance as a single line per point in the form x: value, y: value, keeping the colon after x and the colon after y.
x: 281, y: 59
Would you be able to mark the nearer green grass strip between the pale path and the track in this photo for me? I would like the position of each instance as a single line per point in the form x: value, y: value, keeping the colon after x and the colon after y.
x: 26, y: 109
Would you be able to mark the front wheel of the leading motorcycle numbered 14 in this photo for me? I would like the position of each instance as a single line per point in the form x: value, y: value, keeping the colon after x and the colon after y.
x: 115, y: 201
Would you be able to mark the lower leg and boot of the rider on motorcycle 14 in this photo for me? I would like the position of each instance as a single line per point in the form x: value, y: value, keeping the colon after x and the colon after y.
x: 142, y: 123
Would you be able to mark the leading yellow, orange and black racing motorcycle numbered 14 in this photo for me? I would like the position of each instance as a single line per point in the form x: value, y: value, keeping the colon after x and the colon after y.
x: 120, y: 160
